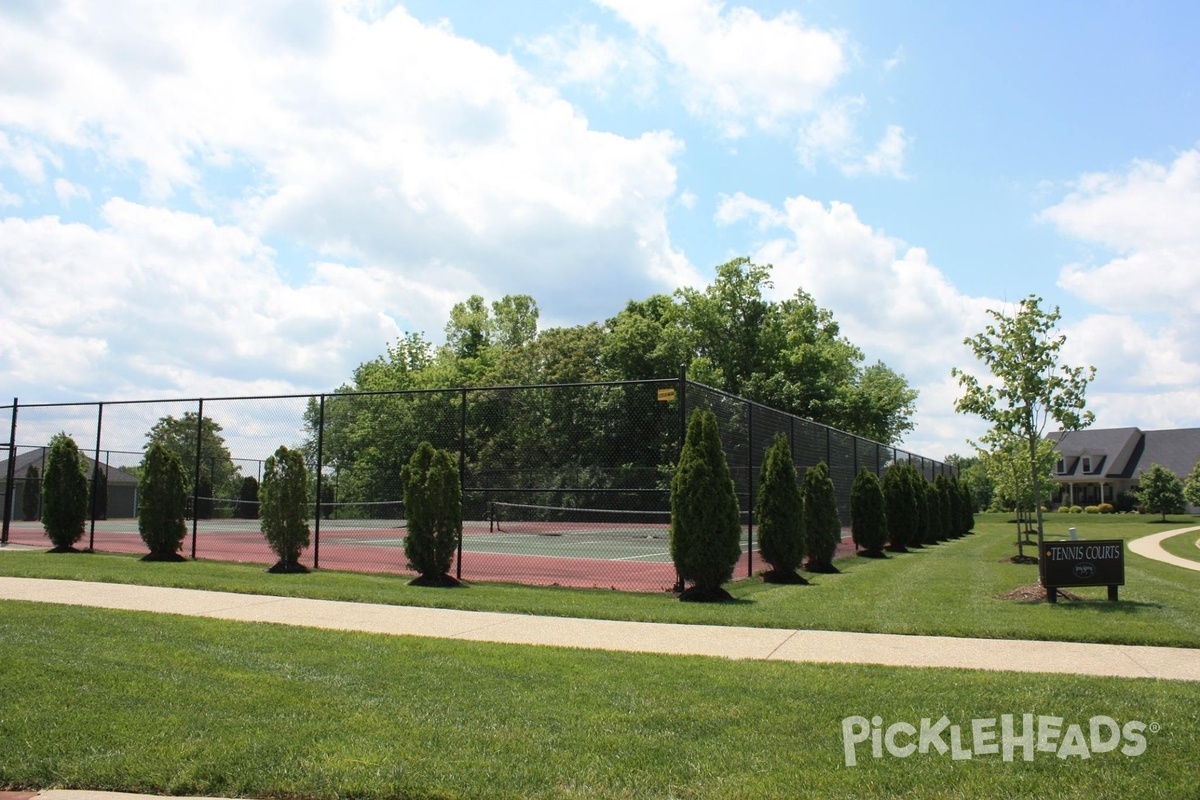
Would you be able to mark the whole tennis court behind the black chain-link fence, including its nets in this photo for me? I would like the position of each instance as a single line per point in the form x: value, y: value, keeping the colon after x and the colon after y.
x: 517, y: 544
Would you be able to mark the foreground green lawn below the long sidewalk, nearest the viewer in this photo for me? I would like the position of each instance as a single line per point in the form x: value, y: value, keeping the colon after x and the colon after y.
x: 139, y: 702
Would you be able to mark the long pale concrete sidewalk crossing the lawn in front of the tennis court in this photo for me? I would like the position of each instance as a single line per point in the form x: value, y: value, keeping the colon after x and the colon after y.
x: 751, y: 643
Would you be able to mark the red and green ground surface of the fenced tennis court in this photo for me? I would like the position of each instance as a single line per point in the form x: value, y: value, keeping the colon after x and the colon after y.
x: 538, y: 561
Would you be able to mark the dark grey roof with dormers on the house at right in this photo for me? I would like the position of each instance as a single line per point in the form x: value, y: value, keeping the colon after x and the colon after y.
x: 1125, y: 454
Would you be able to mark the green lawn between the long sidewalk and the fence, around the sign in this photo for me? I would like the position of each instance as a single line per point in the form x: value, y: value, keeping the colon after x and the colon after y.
x: 950, y: 590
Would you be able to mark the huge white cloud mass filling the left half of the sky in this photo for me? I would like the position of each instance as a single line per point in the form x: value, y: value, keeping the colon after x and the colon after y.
x: 281, y: 190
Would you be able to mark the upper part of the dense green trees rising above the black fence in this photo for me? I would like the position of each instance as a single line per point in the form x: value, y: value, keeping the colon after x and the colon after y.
x: 790, y: 354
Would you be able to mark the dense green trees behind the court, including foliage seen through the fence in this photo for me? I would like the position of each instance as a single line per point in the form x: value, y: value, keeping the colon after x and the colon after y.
x: 788, y: 354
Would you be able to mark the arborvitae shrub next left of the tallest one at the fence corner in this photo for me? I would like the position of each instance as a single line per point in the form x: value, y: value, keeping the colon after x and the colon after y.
x: 434, y: 508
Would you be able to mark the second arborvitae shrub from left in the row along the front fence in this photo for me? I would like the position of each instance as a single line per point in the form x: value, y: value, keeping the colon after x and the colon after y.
x: 163, y: 501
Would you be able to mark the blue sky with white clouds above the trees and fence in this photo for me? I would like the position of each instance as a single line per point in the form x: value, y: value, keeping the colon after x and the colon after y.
x: 230, y: 199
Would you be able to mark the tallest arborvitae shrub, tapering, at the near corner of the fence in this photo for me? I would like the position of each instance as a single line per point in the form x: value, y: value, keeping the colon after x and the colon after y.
x: 706, y: 528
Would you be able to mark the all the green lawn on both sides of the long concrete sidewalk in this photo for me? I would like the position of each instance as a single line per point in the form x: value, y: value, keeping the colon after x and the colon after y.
x: 139, y: 702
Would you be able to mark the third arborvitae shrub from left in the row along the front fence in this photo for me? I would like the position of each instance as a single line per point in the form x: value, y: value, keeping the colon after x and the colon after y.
x: 284, y: 507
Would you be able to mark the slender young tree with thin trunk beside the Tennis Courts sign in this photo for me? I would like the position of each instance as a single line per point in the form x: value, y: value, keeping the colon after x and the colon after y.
x: 1033, y: 387
